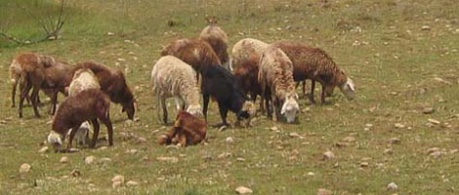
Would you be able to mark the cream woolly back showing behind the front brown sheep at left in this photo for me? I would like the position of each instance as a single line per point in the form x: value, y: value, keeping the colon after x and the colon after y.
x: 83, y: 79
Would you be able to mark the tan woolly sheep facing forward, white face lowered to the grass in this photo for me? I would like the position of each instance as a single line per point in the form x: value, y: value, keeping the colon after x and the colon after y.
x: 276, y: 79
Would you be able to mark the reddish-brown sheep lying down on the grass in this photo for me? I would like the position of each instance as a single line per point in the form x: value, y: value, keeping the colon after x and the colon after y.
x: 187, y: 130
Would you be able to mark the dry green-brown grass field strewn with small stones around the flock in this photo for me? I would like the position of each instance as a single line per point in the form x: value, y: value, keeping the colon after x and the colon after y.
x: 402, y: 55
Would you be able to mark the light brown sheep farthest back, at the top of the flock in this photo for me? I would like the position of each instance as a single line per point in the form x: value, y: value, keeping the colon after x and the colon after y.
x: 217, y: 39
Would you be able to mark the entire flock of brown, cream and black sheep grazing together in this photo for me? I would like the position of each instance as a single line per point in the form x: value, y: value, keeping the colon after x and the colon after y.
x: 187, y: 69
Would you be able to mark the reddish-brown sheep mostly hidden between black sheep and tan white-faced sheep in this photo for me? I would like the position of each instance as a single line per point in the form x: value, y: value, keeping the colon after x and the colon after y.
x: 246, y: 75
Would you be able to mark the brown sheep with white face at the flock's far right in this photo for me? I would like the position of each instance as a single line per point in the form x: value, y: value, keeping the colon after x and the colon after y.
x: 317, y: 65
